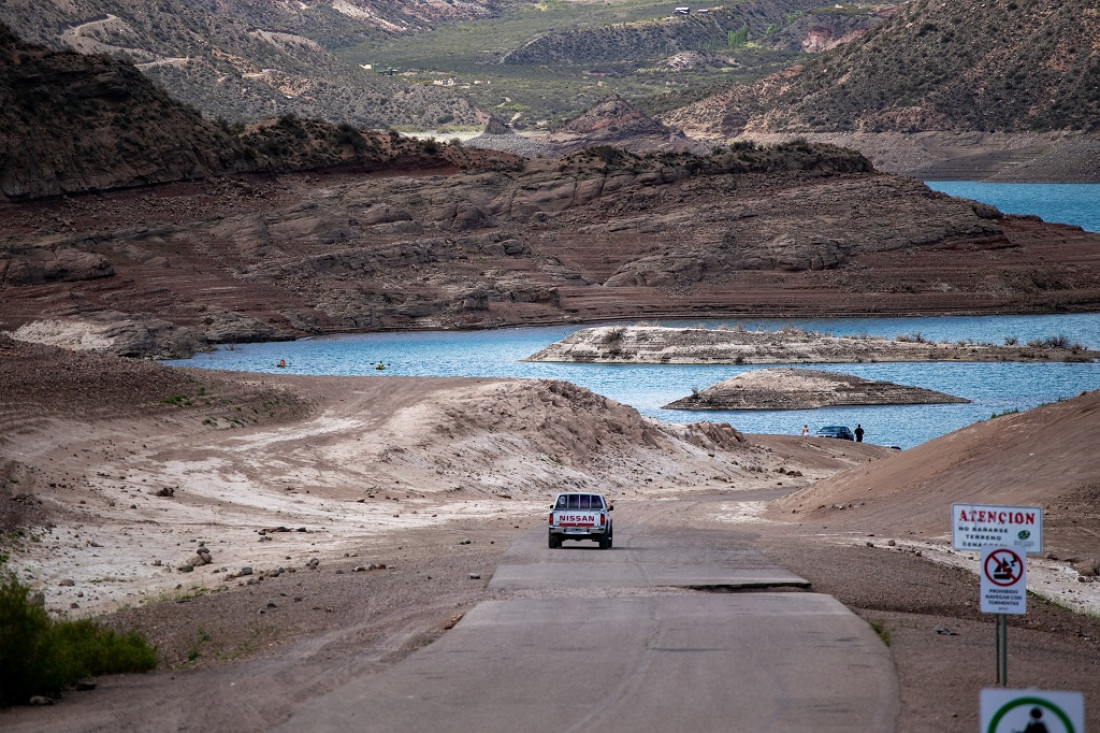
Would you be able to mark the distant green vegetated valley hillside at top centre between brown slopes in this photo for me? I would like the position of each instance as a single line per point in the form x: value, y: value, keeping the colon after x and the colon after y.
x: 576, y: 54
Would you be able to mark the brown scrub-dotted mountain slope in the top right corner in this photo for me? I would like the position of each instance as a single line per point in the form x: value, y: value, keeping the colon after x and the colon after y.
x: 996, y: 65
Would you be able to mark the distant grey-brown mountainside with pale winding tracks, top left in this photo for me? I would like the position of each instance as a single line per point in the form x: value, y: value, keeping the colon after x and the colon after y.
x: 246, y: 61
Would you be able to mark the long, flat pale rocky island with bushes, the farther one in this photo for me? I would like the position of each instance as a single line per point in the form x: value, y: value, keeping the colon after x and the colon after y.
x: 659, y: 345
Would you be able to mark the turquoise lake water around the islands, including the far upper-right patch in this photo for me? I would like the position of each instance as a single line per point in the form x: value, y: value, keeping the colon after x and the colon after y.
x: 993, y: 389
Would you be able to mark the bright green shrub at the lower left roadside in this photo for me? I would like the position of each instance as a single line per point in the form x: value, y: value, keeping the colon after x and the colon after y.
x: 41, y: 657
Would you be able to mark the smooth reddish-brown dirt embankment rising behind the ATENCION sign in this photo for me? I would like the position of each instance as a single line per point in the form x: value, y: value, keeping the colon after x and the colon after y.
x: 1048, y: 457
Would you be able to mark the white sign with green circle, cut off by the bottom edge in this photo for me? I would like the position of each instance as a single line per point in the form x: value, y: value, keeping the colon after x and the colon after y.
x: 1014, y: 712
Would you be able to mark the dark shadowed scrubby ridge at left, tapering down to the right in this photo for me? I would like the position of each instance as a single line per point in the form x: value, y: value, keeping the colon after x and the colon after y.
x: 73, y: 124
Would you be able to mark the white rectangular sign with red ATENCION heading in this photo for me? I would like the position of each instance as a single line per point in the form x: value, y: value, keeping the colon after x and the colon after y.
x: 975, y: 527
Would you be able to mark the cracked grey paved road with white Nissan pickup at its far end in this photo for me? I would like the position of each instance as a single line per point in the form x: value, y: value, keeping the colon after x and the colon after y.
x: 687, y: 631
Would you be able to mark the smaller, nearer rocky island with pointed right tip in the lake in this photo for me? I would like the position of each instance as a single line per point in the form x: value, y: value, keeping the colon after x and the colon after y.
x: 806, y: 389
